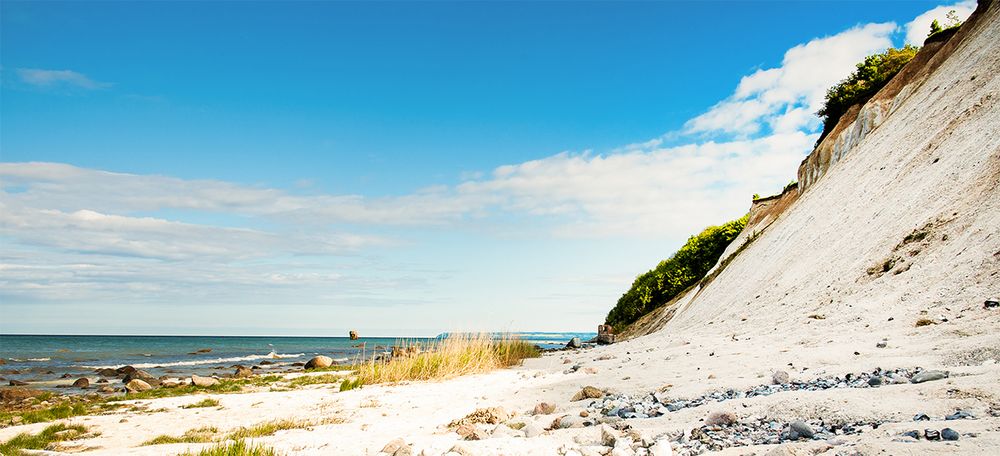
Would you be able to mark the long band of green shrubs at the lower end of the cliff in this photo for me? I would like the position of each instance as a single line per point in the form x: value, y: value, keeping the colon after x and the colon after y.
x: 675, y: 274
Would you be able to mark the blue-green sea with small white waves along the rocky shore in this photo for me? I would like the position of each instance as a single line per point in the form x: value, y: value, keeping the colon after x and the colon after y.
x: 48, y: 361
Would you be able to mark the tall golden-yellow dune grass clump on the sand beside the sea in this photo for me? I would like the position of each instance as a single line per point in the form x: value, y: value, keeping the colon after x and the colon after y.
x: 456, y: 355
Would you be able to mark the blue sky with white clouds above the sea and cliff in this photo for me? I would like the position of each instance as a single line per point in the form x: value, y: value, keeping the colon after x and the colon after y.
x: 396, y: 168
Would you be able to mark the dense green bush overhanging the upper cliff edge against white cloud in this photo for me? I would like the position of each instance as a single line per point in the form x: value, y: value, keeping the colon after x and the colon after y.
x: 870, y: 76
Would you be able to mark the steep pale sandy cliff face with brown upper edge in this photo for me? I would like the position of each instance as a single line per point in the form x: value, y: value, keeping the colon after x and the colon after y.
x: 923, y: 155
